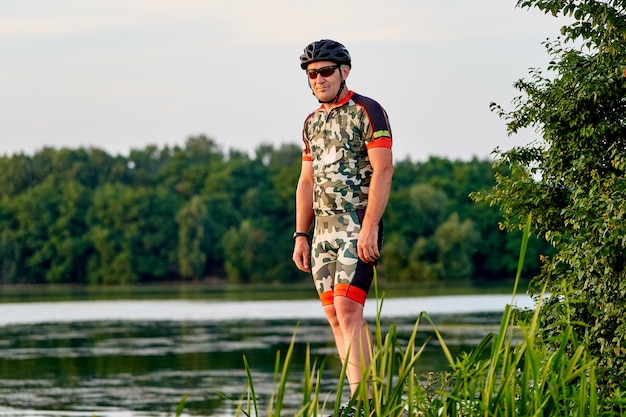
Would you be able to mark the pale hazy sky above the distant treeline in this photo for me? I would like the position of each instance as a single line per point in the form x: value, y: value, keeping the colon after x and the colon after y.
x: 124, y: 74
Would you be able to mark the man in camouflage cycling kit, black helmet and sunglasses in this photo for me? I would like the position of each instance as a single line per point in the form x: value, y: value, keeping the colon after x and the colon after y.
x: 344, y: 186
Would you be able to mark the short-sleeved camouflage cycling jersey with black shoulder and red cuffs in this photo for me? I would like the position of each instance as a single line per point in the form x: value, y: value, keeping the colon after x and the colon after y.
x: 337, y: 143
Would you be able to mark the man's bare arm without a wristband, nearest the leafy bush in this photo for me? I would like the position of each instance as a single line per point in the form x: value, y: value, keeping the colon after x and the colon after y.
x: 380, y: 186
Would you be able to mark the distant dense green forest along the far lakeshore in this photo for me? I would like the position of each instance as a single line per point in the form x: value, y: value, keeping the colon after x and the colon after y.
x: 195, y: 212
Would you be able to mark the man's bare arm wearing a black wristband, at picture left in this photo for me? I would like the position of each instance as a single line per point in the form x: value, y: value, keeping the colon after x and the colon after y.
x: 304, y: 217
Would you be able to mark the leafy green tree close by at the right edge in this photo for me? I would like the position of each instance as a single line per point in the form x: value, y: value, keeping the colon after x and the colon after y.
x: 572, y: 179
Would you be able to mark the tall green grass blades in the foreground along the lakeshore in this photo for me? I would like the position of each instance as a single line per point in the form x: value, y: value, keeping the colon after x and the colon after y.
x: 509, y: 373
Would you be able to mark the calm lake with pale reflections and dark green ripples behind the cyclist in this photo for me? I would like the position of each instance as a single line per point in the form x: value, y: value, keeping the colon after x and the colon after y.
x: 138, y: 358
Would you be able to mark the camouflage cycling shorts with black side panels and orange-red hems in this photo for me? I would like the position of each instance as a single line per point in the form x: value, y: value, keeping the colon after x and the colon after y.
x: 337, y: 269
